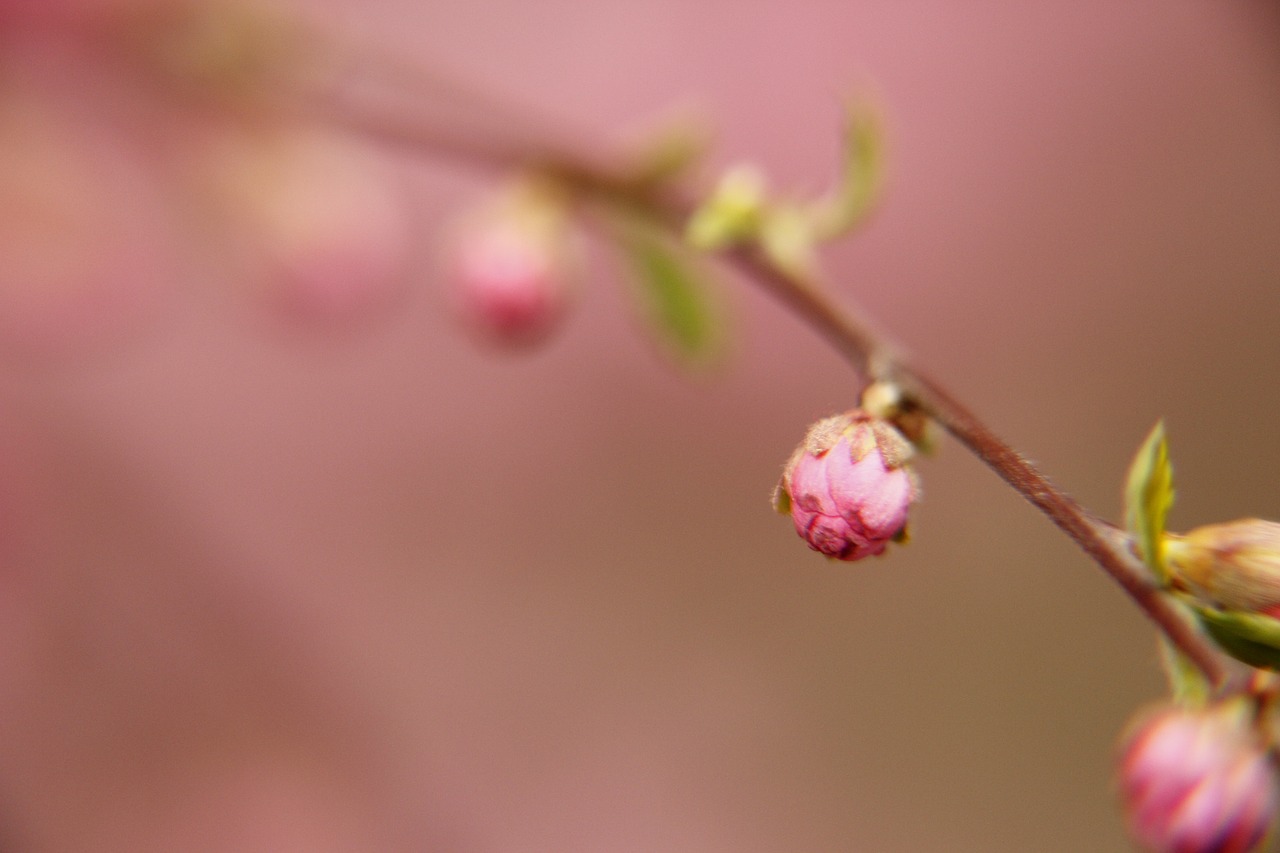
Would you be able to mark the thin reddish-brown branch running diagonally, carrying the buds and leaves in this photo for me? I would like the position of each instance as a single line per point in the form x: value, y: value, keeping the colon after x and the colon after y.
x: 866, y: 349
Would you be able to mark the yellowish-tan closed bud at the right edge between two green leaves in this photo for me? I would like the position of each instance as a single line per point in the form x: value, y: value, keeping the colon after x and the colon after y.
x: 1232, y: 567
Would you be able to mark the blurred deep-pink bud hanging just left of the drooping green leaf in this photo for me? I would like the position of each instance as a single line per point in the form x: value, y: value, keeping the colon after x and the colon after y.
x: 513, y: 268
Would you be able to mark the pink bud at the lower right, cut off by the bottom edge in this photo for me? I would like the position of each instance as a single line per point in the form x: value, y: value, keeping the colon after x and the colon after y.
x: 1197, y: 781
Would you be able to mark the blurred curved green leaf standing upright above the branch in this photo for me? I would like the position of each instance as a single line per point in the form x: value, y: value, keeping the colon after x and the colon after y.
x: 862, y: 175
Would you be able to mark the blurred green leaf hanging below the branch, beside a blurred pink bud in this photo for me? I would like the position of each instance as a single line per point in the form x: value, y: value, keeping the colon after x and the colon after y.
x: 674, y: 297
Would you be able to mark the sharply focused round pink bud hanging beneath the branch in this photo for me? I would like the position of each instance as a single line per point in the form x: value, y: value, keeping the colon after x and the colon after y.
x: 848, y: 487
